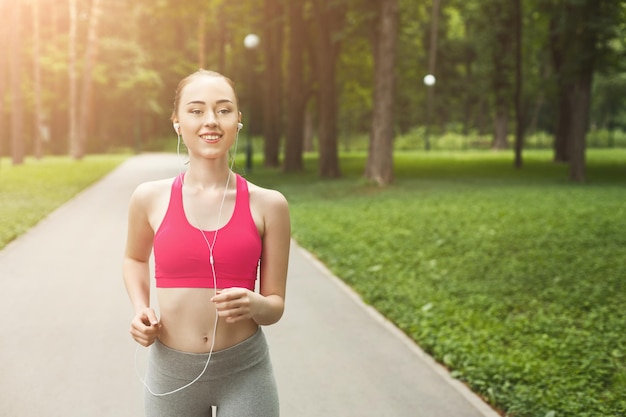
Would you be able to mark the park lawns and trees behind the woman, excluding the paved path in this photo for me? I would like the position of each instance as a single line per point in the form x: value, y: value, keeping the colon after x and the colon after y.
x: 490, y: 203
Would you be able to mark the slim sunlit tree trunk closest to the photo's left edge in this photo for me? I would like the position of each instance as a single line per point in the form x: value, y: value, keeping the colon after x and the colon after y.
x: 17, y: 102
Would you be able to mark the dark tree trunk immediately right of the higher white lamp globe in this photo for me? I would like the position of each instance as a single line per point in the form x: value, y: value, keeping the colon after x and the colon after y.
x: 273, y: 87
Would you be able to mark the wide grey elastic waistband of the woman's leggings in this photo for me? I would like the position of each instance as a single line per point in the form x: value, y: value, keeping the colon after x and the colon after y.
x: 187, y: 366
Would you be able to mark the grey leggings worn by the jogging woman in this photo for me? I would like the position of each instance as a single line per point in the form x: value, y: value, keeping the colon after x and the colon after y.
x: 239, y: 381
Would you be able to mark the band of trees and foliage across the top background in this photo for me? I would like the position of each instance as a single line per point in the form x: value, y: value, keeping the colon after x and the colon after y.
x: 316, y: 62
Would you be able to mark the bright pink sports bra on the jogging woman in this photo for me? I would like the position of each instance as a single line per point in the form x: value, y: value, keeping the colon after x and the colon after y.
x: 181, y: 254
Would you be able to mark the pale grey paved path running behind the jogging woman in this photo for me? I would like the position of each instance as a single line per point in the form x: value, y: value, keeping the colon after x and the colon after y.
x: 65, y: 349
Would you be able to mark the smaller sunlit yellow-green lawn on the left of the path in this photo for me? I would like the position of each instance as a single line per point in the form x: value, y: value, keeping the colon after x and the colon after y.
x: 30, y: 191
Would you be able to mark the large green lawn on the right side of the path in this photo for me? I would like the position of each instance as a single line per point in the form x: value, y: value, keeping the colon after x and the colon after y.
x: 512, y: 279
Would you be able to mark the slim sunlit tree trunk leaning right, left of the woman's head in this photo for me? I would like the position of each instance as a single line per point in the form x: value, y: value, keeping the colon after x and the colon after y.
x: 89, y: 63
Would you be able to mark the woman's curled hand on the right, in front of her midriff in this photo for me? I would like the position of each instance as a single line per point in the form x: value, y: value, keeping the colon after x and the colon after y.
x: 236, y: 304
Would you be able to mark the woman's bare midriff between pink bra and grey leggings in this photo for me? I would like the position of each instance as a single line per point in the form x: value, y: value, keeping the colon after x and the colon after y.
x: 188, y: 316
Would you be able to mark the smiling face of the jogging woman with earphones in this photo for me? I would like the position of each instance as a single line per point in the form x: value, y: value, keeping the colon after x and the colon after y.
x: 208, y: 116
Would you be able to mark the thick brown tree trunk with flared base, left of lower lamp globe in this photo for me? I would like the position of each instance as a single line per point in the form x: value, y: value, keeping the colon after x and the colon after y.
x: 379, y: 166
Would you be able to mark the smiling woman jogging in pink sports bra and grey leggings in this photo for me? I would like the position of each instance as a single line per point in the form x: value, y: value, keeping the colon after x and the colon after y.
x: 221, y: 248
